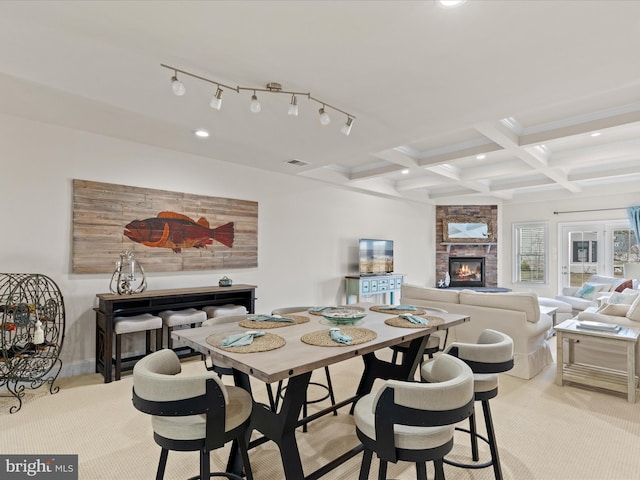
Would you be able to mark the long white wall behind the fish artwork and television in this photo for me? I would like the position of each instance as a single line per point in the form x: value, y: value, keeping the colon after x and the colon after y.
x: 307, y: 231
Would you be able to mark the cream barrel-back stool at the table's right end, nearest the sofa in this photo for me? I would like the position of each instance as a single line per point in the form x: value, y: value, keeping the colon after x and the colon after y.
x: 491, y: 355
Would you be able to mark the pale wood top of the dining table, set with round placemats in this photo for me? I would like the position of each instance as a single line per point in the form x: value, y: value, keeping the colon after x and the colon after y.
x: 297, y: 357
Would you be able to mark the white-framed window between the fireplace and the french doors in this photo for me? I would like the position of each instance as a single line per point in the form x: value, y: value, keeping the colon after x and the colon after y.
x: 530, y: 253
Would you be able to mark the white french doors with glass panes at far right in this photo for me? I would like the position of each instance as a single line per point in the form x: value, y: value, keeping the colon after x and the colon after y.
x: 595, y: 248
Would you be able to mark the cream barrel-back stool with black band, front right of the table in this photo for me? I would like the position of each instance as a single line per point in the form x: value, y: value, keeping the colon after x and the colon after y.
x: 413, y: 421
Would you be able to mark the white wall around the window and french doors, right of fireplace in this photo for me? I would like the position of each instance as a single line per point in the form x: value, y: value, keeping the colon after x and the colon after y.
x: 544, y: 212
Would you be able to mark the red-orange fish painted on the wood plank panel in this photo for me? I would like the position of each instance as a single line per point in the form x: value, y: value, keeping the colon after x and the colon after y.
x: 176, y: 231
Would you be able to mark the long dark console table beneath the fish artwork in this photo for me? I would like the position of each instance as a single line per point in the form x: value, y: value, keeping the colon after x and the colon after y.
x: 112, y: 305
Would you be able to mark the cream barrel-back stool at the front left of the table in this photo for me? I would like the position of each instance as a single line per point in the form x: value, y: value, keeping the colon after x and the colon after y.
x: 194, y: 412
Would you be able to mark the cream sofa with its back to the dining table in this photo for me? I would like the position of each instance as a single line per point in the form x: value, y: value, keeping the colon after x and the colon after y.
x: 515, y: 314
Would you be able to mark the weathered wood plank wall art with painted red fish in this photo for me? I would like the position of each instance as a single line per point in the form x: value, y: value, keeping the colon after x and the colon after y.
x: 160, y: 227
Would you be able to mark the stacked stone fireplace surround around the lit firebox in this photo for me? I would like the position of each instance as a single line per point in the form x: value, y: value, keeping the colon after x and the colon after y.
x: 443, y: 252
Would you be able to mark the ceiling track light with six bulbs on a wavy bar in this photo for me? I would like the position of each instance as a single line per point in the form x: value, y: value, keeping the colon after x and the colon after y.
x: 179, y: 89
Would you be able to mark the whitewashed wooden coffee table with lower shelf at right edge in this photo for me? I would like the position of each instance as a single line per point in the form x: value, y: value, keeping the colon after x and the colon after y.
x: 593, y: 375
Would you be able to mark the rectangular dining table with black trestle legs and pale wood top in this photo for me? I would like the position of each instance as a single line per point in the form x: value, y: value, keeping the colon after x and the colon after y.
x: 298, y: 354
